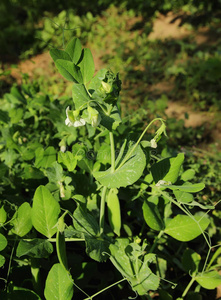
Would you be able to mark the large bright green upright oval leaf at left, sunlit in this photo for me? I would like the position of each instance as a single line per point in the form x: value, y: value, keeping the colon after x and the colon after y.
x: 45, y: 211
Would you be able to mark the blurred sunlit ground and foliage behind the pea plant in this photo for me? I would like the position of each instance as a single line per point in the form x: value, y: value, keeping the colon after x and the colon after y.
x: 167, y: 52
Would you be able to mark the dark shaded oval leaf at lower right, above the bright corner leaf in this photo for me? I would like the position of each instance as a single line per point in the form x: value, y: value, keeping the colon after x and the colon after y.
x: 190, y: 261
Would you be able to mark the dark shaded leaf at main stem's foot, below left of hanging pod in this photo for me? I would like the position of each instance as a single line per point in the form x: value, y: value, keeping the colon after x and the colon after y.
x: 97, y: 248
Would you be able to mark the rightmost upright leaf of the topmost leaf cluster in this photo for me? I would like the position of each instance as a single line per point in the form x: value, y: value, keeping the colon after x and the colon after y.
x: 87, y: 65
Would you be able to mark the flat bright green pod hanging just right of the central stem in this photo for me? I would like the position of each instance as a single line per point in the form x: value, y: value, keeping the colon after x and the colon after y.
x: 114, y: 215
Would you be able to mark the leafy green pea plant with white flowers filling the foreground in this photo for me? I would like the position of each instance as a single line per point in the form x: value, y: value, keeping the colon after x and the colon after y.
x: 112, y: 216
